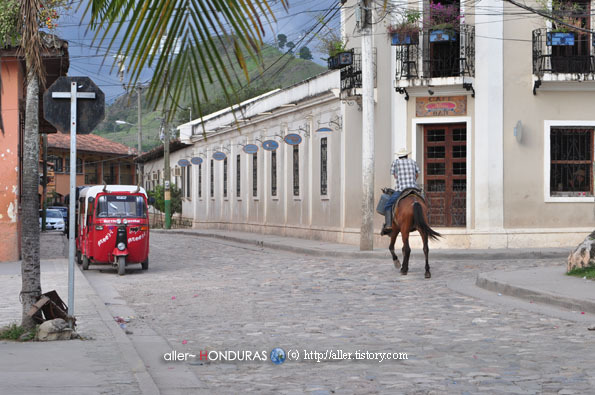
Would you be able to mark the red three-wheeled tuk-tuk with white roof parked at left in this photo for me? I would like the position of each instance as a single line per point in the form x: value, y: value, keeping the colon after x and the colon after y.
x: 113, y: 226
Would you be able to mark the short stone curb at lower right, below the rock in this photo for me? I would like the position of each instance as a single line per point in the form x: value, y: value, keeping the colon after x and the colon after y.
x: 490, y: 284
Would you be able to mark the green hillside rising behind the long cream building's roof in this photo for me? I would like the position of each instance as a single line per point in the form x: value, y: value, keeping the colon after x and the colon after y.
x: 277, y: 74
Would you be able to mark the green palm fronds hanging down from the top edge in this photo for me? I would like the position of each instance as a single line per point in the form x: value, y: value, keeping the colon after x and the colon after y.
x: 182, y: 40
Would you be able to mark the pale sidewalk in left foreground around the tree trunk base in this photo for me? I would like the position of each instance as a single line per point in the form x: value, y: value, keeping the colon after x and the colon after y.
x: 104, y: 363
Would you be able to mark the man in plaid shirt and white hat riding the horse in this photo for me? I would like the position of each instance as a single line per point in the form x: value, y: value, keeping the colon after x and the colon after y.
x: 405, y: 171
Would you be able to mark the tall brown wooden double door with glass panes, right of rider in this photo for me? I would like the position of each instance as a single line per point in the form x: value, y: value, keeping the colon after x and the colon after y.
x: 445, y: 173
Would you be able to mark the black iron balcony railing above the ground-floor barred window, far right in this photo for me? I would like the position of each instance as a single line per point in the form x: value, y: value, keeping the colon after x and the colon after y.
x: 568, y: 53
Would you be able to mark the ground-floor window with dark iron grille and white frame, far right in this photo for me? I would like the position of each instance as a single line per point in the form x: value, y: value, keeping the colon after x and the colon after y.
x: 571, y: 161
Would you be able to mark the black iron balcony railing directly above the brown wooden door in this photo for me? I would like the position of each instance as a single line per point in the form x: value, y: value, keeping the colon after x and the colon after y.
x: 446, y: 54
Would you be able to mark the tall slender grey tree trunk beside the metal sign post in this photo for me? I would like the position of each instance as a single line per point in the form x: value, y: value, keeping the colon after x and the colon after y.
x: 21, y: 25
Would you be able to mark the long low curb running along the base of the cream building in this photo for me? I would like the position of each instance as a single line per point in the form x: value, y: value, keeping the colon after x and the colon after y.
x: 459, y: 255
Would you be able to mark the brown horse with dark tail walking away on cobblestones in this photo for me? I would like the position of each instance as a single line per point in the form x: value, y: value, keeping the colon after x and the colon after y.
x: 410, y: 215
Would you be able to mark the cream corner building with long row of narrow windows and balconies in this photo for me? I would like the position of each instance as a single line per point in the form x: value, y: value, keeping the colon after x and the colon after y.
x: 496, y: 111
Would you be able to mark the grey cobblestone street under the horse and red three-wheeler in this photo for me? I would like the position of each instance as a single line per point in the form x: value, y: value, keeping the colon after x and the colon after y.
x: 233, y: 297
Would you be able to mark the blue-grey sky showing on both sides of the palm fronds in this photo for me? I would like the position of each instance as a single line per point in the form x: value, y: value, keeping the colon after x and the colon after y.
x: 87, y: 59
